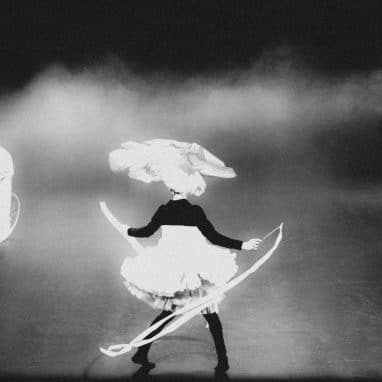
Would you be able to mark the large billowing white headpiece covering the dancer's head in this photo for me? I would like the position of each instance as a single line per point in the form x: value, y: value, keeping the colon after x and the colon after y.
x: 180, y: 165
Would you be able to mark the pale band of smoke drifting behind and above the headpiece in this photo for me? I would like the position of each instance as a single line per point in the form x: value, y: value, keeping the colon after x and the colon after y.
x: 64, y: 123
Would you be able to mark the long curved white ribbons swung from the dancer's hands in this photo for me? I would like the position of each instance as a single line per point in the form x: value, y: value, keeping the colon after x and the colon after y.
x: 191, y: 309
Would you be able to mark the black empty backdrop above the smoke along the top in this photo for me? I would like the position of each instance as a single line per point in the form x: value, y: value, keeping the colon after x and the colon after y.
x: 186, y: 36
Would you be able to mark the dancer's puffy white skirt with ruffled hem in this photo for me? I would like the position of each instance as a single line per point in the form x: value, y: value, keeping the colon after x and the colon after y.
x: 182, y: 267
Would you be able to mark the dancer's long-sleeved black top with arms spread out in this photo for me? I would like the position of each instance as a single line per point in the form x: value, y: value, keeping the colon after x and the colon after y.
x: 182, y: 212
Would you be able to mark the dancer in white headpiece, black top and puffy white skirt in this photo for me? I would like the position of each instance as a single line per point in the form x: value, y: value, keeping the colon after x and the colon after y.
x: 191, y: 258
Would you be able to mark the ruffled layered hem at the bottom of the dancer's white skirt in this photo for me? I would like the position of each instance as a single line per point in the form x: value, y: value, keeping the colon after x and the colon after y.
x: 178, y: 300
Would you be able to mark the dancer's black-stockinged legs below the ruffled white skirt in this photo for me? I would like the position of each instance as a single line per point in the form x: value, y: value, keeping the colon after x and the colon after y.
x: 214, y: 324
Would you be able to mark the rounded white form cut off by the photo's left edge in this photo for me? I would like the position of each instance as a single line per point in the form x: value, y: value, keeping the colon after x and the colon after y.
x: 6, y: 174
